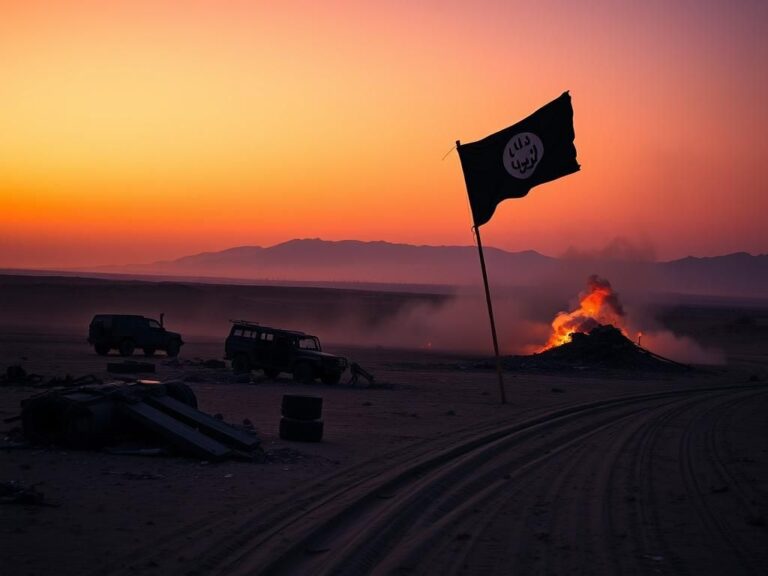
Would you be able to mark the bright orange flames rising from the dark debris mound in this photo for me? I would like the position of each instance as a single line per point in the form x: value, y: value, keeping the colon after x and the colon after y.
x: 599, y: 304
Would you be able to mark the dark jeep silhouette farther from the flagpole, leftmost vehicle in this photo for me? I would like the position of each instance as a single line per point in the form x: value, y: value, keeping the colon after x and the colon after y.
x: 127, y: 332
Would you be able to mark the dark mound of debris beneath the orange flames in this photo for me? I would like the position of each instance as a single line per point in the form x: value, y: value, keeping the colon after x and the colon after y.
x: 603, y: 347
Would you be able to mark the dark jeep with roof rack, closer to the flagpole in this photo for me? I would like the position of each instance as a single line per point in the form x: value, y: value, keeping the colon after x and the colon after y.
x: 251, y: 346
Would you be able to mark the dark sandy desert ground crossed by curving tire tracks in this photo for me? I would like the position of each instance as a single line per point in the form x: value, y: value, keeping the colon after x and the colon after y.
x: 581, y: 472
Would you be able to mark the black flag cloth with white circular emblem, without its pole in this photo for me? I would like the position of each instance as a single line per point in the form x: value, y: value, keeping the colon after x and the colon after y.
x: 509, y: 163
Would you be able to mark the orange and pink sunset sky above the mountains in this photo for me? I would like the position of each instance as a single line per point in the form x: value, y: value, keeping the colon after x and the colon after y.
x: 145, y: 130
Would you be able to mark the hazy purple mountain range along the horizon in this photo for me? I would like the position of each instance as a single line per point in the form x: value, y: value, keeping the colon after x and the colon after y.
x: 352, y: 261
